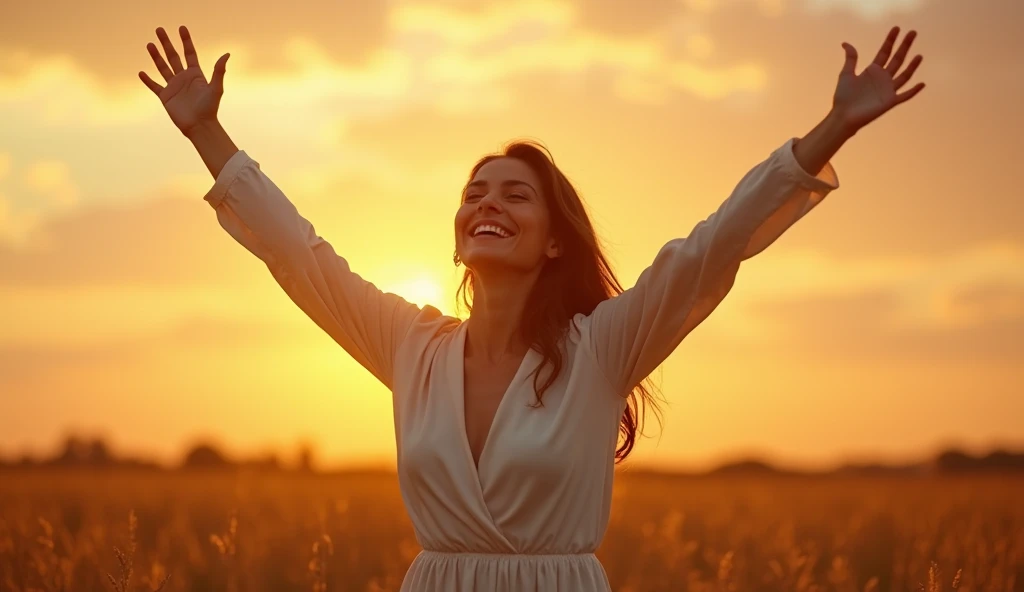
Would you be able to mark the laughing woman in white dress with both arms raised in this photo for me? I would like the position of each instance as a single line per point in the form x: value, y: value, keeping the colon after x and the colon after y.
x: 507, y: 480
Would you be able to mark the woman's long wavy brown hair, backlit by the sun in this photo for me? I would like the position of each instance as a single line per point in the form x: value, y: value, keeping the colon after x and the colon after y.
x: 576, y: 282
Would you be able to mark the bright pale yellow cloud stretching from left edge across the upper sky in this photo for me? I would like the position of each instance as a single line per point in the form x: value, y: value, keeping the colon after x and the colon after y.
x: 430, y: 62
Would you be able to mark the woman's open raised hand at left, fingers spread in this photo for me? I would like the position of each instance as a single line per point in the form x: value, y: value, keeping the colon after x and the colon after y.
x: 188, y: 98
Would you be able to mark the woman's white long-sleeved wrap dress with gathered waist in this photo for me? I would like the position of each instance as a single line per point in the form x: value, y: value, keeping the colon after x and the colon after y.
x: 534, y: 514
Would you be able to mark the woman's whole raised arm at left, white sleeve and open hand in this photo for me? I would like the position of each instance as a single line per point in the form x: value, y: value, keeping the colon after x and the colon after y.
x: 369, y: 324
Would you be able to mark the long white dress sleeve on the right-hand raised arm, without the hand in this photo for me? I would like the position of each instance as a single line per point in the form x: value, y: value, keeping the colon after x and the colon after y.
x: 634, y: 332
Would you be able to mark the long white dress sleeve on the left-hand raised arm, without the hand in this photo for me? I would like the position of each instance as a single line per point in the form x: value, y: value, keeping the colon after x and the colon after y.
x: 369, y: 324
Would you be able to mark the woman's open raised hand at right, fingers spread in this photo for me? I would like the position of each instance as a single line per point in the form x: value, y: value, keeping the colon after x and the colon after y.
x: 862, y: 99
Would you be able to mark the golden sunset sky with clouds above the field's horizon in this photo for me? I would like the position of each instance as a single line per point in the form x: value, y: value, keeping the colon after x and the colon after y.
x: 887, y: 324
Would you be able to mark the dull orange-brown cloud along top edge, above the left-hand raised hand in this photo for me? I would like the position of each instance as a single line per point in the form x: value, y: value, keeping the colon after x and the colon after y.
x: 109, y: 43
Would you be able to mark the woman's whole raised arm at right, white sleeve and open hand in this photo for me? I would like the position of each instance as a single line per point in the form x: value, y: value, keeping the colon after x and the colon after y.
x: 632, y: 333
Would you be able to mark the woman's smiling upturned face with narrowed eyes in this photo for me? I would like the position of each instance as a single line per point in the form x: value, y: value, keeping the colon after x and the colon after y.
x: 505, y: 193
